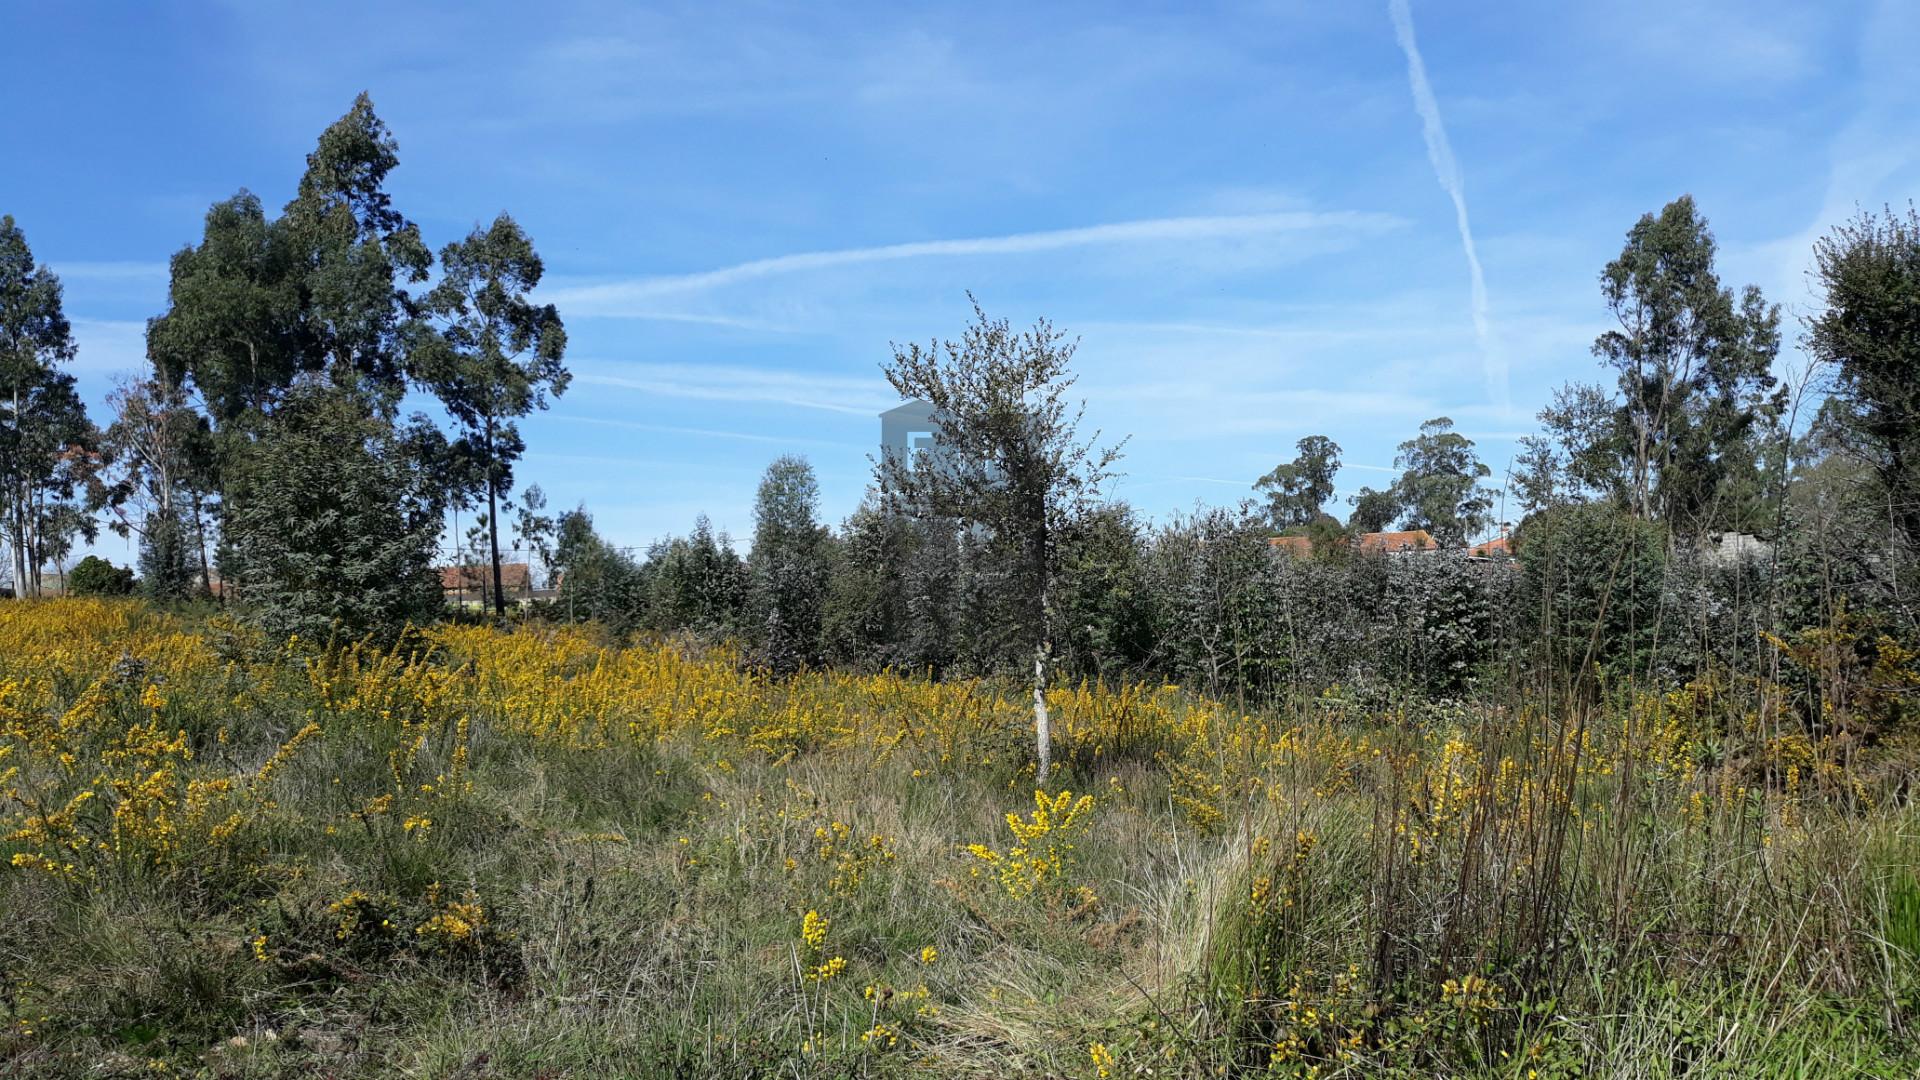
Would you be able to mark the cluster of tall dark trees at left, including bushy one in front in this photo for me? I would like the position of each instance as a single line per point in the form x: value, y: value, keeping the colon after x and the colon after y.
x: 264, y: 456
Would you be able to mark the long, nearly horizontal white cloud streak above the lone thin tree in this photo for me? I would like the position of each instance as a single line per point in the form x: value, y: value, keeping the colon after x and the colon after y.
x: 642, y: 297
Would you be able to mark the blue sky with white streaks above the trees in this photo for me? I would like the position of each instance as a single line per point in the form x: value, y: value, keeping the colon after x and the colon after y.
x: 1255, y: 216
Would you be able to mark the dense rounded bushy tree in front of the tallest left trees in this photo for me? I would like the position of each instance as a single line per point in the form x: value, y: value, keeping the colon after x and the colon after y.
x: 333, y: 531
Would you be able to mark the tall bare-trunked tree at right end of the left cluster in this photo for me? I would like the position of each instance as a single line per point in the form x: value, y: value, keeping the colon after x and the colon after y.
x: 492, y: 358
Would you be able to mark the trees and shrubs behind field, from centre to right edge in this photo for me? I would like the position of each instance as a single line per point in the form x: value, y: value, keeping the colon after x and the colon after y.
x: 1668, y: 526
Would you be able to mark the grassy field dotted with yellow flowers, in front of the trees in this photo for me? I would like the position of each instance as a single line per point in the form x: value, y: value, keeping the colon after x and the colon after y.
x: 539, y: 854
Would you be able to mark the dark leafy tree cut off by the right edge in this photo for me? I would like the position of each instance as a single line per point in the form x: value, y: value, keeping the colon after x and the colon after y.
x: 1869, y: 337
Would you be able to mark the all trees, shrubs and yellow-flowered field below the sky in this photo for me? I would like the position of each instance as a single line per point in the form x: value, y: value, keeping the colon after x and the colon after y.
x: 996, y: 779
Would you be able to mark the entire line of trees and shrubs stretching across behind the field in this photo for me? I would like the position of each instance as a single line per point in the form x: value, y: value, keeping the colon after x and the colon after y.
x: 1668, y: 516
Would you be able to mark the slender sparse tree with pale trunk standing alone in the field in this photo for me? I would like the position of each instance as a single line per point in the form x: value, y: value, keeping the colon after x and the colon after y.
x: 1007, y: 458
